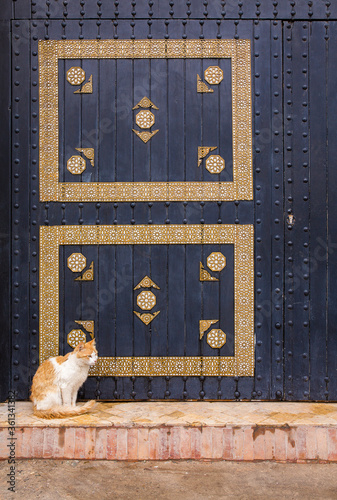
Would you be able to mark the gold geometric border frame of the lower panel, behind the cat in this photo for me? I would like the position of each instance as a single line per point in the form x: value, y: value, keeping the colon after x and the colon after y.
x: 241, y: 236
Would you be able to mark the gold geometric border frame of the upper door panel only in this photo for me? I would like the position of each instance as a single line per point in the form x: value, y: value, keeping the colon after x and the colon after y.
x: 50, y: 51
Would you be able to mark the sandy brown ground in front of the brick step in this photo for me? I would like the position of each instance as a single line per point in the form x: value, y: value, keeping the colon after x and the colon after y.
x: 188, y: 480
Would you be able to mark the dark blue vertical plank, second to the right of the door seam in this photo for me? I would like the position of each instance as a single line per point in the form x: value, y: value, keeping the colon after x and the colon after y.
x: 318, y: 220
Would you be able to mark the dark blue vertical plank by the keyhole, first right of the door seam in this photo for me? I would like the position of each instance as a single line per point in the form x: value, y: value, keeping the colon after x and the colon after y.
x: 296, y: 238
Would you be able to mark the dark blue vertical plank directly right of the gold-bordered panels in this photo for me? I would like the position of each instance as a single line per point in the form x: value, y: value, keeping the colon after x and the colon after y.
x: 262, y: 194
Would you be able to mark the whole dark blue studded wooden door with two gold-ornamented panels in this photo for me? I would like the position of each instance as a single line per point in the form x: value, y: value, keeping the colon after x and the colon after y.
x: 172, y: 196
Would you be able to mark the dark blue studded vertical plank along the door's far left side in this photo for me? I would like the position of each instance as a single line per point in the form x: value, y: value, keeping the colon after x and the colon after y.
x: 20, y: 202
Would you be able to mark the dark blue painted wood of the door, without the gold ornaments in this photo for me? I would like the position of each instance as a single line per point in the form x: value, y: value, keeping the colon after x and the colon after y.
x: 305, y: 292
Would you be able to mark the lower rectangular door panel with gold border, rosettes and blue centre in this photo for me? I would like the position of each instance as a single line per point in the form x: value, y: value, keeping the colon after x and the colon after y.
x: 150, y: 297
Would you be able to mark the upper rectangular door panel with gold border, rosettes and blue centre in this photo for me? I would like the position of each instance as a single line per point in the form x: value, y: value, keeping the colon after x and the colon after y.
x: 136, y: 120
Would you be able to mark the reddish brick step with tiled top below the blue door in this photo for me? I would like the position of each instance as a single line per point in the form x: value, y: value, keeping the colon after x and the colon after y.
x: 294, y: 432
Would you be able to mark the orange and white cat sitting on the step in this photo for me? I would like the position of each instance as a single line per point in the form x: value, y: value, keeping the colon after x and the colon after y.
x: 57, y: 380
